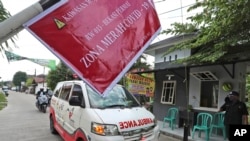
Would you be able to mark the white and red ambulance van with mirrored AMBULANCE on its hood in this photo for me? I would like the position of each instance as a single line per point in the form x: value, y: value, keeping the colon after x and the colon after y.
x: 78, y: 113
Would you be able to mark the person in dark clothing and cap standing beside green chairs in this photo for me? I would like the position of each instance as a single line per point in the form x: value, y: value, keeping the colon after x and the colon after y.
x: 236, y: 112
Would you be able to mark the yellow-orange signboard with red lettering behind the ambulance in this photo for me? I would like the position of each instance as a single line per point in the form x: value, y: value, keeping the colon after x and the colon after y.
x: 137, y: 84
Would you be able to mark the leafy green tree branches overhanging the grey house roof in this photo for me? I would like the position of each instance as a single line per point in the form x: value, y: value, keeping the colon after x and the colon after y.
x: 220, y: 26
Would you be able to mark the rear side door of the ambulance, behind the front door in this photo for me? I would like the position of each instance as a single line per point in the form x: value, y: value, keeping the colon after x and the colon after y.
x: 63, y: 103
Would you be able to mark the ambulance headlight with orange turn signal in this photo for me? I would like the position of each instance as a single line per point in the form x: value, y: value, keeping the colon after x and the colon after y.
x: 104, y: 129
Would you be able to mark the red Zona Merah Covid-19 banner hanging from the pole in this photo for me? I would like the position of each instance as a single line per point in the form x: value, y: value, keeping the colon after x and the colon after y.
x: 98, y: 39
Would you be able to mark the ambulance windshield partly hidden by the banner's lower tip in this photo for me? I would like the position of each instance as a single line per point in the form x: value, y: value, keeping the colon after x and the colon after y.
x: 118, y: 97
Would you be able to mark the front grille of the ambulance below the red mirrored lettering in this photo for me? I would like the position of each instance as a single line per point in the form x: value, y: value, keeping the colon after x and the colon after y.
x: 136, y: 135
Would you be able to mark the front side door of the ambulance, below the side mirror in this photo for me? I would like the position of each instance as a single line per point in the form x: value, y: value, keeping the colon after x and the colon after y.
x: 72, y: 119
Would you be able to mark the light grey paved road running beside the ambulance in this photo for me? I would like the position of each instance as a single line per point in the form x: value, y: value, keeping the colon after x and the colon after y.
x: 21, y: 121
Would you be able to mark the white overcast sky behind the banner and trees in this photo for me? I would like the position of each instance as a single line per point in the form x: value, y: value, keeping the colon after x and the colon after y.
x: 168, y: 10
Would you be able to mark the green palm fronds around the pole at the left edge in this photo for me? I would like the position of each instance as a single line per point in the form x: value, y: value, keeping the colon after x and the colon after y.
x: 4, y: 14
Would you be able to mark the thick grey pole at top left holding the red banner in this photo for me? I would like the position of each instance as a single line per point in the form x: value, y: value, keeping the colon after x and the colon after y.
x: 14, y: 24
